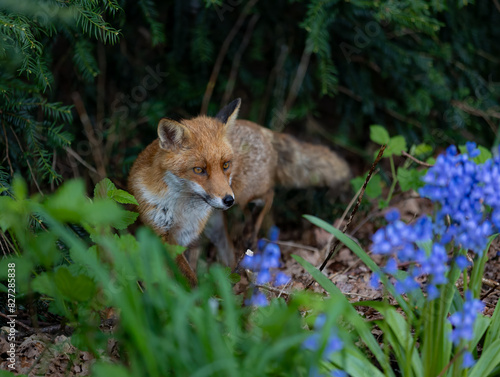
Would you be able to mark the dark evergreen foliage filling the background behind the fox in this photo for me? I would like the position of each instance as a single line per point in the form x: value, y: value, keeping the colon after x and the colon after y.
x: 409, y: 65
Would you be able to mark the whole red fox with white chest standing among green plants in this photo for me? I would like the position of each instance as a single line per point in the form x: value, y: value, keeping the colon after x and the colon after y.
x: 199, y: 167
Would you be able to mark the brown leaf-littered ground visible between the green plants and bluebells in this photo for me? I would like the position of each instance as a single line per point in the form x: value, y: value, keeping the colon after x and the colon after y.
x: 49, y: 352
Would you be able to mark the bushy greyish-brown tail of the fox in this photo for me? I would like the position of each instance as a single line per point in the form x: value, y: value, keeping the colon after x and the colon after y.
x: 303, y: 165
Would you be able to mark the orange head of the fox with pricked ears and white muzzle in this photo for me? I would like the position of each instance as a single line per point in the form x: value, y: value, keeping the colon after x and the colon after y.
x: 197, y: 156
